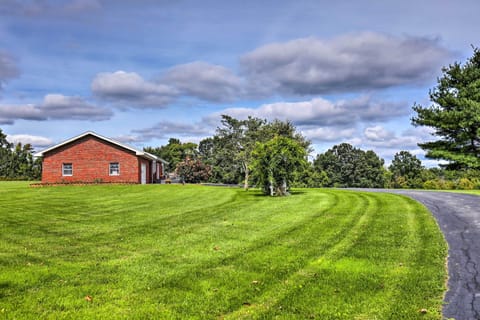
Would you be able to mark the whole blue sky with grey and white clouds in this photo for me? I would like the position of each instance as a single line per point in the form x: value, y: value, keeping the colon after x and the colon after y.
x: 143, y: 71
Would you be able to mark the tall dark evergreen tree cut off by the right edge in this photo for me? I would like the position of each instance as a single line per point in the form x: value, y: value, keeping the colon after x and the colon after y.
x: 454, y: 115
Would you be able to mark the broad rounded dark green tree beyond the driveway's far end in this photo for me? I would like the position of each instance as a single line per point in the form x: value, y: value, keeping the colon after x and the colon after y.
x: 347, y: 166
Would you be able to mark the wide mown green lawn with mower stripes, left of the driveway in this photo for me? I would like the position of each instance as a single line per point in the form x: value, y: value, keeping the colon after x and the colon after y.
x: 195, y: 252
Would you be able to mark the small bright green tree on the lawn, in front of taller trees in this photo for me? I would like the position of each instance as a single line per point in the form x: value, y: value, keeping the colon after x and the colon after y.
x: 275, y: 163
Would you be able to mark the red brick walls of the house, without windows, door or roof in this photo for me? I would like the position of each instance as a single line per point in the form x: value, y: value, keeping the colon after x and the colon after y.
x: 91, y: 159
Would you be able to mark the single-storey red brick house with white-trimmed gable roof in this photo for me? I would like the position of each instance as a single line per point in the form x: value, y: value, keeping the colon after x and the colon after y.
x: 91, y: 157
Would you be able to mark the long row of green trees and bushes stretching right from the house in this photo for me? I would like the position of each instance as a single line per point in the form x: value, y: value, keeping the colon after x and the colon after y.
x: 273, y: 157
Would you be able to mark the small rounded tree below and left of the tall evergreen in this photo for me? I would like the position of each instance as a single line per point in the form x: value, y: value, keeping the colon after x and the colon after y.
x: 406, y: 170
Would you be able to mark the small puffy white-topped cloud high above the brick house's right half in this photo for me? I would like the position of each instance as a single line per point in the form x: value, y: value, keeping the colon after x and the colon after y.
x: 130, y: 89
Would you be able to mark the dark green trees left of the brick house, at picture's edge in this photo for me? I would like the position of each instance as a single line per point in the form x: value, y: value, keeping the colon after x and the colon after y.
x: 17, y: 161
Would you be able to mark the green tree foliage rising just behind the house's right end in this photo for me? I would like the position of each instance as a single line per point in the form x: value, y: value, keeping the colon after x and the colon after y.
x: 174, y: 152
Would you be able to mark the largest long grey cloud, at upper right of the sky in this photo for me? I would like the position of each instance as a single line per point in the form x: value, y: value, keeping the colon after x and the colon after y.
x: 346, y: 63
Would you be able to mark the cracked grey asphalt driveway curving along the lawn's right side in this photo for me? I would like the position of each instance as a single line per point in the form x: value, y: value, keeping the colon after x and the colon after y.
x: 458, y: 216
